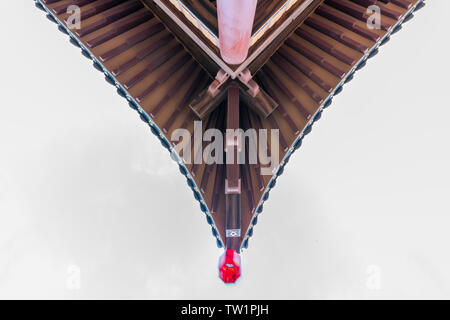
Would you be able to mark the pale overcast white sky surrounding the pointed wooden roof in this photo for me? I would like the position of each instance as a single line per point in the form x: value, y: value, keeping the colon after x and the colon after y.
x: 91, y: 205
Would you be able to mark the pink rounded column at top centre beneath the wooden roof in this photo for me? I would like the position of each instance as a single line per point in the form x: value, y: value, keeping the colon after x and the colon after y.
x: 235, y: 28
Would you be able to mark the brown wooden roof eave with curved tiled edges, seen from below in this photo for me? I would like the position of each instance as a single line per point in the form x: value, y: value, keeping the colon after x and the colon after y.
x: 162, y: 57
